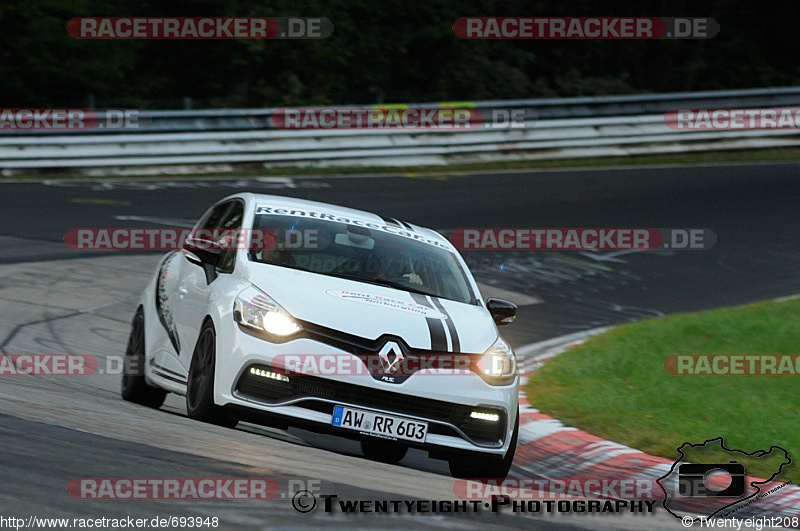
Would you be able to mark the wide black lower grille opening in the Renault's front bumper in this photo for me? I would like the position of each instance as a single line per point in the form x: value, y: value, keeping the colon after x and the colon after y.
x: 274, y: 391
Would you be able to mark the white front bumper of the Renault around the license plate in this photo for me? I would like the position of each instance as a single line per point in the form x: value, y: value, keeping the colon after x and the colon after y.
x: 440, y: 397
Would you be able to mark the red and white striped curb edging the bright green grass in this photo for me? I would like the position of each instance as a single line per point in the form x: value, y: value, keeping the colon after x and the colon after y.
x: 547, y: 449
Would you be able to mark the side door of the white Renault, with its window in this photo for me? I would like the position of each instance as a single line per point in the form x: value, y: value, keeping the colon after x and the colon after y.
x: 195, y: 285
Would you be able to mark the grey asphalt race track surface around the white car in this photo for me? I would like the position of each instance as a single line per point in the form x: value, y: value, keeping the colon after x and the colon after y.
x: 55, y: 300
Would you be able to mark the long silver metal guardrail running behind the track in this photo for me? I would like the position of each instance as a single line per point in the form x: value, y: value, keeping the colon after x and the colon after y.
x: 215, y: 140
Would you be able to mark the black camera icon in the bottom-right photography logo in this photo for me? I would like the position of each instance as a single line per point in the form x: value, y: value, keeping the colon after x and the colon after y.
x: 722, y: 480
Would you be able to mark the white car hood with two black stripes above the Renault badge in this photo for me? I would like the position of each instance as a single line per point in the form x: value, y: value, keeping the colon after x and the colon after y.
x: 370, y: 311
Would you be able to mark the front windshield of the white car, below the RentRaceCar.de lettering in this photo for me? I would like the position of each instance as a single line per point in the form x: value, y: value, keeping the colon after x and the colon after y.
x: 356, y: 252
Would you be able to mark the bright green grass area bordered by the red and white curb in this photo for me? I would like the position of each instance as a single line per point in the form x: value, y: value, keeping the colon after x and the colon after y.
x: 615, y: 385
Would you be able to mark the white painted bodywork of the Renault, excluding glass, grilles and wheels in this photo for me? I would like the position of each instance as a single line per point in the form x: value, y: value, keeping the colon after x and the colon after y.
x: 317, y: 299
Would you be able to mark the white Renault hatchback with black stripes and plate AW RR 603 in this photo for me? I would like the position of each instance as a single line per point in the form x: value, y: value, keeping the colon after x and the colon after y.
x: 287, y: 312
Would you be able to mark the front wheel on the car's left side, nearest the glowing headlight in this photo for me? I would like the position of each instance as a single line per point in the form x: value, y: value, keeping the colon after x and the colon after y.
x: 200, y: 386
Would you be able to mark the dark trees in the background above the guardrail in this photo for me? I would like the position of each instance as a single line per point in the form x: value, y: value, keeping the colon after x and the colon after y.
x: 381, y: 51
